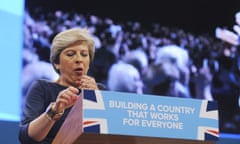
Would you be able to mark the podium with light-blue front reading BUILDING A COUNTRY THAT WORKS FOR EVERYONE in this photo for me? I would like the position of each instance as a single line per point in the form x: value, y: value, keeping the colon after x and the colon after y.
x: 105, y: 117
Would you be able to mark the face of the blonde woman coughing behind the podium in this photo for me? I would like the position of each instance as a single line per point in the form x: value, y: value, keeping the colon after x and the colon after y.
x: 73, y: 64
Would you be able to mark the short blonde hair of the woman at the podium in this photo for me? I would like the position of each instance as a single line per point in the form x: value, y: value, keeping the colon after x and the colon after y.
x: 65, y: 38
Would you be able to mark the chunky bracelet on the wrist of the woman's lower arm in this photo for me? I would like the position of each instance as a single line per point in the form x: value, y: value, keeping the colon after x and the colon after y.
x: 53, y: 114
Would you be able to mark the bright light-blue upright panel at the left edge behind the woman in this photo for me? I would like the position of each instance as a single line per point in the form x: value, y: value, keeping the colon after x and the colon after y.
x: 11, y: 14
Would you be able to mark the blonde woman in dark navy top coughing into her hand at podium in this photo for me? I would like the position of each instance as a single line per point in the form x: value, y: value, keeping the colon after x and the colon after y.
x: 48, y: 103
